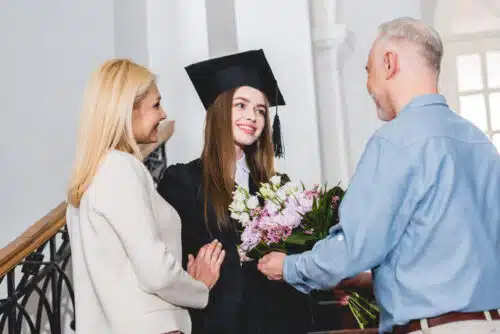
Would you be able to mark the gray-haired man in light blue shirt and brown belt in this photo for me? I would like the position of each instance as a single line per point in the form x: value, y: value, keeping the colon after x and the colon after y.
x: 423, y: 208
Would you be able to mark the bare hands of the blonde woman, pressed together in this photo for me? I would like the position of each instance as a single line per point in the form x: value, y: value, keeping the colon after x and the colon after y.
x: 206, y: 266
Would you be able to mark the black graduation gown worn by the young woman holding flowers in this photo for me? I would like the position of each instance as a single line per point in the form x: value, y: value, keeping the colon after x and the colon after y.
x: 243, y: 300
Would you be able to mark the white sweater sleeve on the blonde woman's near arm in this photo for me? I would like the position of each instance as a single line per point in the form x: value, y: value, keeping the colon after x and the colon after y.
x: 122, y: 197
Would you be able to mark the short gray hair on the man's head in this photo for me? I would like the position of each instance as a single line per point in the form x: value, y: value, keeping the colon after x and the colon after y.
x: 407, y: 28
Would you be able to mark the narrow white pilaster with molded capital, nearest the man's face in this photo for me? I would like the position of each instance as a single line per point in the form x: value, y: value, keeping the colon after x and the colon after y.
x: 327, y: 37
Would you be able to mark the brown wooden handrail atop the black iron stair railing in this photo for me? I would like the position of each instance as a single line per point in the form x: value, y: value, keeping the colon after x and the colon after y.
x: 32, y: 238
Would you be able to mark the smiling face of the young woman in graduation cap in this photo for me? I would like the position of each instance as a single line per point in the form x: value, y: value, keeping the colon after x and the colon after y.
x: 249, y: 112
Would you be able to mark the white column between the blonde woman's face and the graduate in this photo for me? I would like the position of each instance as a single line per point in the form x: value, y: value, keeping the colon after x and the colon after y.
x: 177, y: 37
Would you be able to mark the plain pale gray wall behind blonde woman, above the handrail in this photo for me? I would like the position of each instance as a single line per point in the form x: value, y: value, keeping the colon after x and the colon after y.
x: 49, y: 49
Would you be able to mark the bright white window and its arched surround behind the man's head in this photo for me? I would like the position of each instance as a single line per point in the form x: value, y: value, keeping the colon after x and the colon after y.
x: 470, y: 76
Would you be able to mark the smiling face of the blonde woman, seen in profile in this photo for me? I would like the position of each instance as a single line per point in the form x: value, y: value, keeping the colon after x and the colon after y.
x: 147, y: 116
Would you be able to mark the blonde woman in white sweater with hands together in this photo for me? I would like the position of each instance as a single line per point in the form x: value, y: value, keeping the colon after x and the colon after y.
x: 125, y: 239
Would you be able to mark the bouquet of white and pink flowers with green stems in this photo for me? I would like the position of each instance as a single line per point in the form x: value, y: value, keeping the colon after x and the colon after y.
x: 291, y: 219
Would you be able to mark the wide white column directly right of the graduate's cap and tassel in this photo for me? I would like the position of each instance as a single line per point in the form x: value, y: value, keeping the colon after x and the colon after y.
x: 282, y: 29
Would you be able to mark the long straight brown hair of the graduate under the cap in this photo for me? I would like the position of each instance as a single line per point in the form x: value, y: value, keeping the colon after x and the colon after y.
x: 219, y: 157
